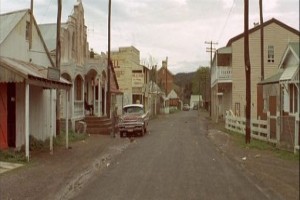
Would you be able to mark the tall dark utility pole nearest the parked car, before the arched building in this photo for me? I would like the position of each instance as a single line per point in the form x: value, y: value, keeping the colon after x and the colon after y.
x: 108, y: 63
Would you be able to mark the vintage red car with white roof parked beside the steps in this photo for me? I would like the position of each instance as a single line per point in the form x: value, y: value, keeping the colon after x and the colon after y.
x: 134, y: 120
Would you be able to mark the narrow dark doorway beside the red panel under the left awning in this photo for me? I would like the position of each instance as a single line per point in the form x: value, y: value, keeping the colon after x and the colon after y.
x: 11, y: 114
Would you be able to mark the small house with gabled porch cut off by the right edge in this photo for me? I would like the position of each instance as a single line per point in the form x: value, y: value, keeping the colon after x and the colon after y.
x: 280, y: 97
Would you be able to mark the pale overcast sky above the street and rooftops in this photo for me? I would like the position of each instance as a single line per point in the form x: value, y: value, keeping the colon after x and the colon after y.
x: 176, y: 29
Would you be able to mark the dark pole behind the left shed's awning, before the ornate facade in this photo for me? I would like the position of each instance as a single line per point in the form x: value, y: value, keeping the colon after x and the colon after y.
x: 57, y: 56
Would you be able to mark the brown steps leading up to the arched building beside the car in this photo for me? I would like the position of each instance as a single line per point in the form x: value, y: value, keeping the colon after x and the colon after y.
x: 98, y: 125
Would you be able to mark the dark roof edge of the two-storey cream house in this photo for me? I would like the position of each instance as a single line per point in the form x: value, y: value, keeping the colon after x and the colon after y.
x: 273, y: 20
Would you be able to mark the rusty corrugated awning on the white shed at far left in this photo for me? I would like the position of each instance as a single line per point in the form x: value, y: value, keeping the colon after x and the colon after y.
x: 13, y: 70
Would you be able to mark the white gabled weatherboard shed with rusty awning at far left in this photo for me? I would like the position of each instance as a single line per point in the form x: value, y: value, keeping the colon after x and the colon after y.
x: 28, y: 82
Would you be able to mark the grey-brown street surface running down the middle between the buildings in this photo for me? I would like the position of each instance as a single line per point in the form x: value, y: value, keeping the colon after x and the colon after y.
x: 175, y: 161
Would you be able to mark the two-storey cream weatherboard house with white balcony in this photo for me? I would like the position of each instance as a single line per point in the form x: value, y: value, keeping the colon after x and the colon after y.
x: 228, y: 70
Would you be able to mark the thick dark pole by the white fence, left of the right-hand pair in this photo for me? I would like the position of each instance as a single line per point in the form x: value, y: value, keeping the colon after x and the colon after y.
x: 247, y: 71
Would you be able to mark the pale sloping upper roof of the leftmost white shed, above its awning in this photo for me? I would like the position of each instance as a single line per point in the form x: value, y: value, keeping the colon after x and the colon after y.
x: 8, y: 21
